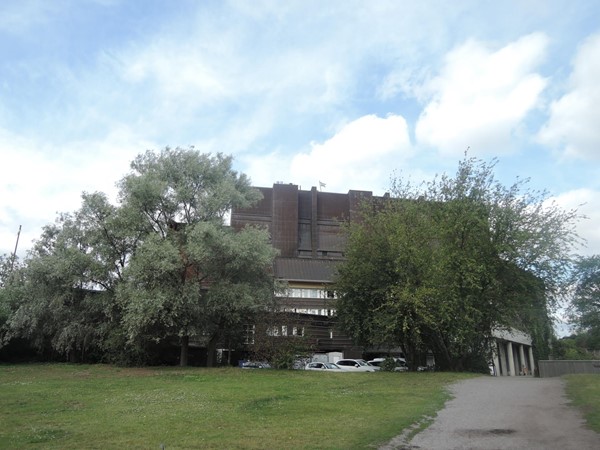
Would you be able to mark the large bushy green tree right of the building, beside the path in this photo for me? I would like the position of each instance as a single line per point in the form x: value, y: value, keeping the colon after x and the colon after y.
x: 437, y: 267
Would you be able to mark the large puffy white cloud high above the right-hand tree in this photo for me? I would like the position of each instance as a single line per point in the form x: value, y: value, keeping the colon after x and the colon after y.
x: 481, y: 97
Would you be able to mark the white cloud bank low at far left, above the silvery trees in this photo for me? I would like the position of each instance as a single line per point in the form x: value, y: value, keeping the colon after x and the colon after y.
x: 40, y: 180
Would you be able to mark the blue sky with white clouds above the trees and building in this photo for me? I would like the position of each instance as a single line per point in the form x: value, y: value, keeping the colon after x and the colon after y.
x: 345, y: 92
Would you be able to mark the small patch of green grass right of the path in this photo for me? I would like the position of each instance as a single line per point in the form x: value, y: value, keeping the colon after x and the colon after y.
x: 584, y: 392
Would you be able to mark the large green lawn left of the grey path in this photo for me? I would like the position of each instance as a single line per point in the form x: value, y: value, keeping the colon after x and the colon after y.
x: 97, y: 406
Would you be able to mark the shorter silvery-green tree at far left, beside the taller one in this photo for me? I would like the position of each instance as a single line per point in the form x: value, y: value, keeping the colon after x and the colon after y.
x: 65, y: 290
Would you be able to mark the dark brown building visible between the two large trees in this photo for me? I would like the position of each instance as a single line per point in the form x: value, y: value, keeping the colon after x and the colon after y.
x: 305, y: 227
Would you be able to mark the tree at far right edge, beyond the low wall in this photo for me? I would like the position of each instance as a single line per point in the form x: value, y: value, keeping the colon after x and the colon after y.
x: 585, y: 303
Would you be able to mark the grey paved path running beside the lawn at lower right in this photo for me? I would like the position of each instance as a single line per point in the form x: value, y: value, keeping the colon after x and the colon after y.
x: 505, y: 413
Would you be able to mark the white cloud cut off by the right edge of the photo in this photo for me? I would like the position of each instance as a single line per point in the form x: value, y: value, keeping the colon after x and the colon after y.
x: 574, y: 118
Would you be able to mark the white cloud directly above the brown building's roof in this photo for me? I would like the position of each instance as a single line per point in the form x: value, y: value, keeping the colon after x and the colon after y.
x: 362, y: 155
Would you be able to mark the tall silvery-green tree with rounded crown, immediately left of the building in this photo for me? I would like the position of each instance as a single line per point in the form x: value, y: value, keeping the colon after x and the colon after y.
x: 191, y: 276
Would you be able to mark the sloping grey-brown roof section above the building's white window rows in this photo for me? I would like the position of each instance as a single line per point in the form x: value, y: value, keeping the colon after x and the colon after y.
x: 304, y: 269
